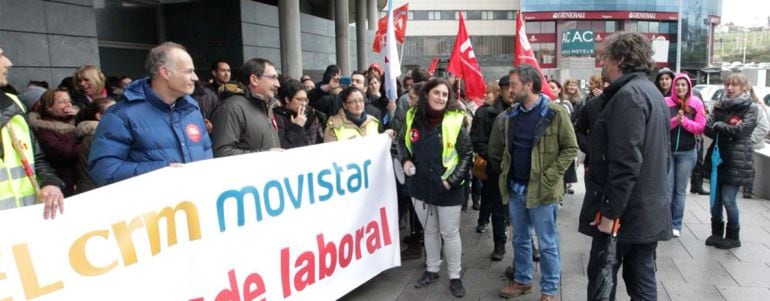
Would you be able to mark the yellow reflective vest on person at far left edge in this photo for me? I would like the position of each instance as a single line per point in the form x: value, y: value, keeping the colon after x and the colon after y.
x: 16, y: 189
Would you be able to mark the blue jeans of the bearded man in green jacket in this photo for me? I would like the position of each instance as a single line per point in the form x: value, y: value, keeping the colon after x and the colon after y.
x: 543, y: 219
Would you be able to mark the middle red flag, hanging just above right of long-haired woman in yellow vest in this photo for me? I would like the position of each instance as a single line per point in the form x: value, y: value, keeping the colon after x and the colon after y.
x: 464, y: 65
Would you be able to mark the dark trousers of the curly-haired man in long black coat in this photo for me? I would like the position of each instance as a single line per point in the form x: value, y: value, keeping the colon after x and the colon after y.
x: 638, y: 262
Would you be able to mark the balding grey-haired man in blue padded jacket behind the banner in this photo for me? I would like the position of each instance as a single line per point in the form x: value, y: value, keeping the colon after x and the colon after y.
x: 155, y: 123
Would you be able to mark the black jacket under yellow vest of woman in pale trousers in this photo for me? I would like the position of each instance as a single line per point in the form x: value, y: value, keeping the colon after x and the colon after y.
x: 426, y: 184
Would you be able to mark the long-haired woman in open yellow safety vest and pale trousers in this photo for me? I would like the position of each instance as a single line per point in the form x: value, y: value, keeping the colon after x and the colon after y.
x: 436, y: 150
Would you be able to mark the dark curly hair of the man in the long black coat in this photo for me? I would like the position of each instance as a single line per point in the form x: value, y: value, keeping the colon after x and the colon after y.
x: 631, y: 50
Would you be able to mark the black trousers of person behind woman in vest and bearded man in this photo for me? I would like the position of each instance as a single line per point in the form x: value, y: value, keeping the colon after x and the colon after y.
x: 492, y: 205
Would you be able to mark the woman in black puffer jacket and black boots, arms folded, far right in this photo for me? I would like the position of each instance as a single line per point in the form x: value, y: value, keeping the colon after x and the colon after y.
x: 730, y: 124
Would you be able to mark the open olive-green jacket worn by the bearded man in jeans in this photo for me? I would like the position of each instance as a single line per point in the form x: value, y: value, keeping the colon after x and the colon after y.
x: 555, y: 147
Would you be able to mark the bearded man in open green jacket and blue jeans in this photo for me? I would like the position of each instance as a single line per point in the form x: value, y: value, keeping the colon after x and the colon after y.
x: 531, y: 145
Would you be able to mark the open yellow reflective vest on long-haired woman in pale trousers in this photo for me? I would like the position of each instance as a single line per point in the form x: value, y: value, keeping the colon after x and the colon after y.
x: 450, y: 130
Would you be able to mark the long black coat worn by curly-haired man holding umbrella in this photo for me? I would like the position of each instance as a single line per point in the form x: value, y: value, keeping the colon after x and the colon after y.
x: 629, y: 150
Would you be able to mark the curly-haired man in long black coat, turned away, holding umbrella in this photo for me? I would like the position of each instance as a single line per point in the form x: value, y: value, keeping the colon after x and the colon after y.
x: 629, y: 147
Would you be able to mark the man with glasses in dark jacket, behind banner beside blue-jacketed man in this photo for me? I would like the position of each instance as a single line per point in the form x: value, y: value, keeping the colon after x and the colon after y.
x: 244, y: 121
